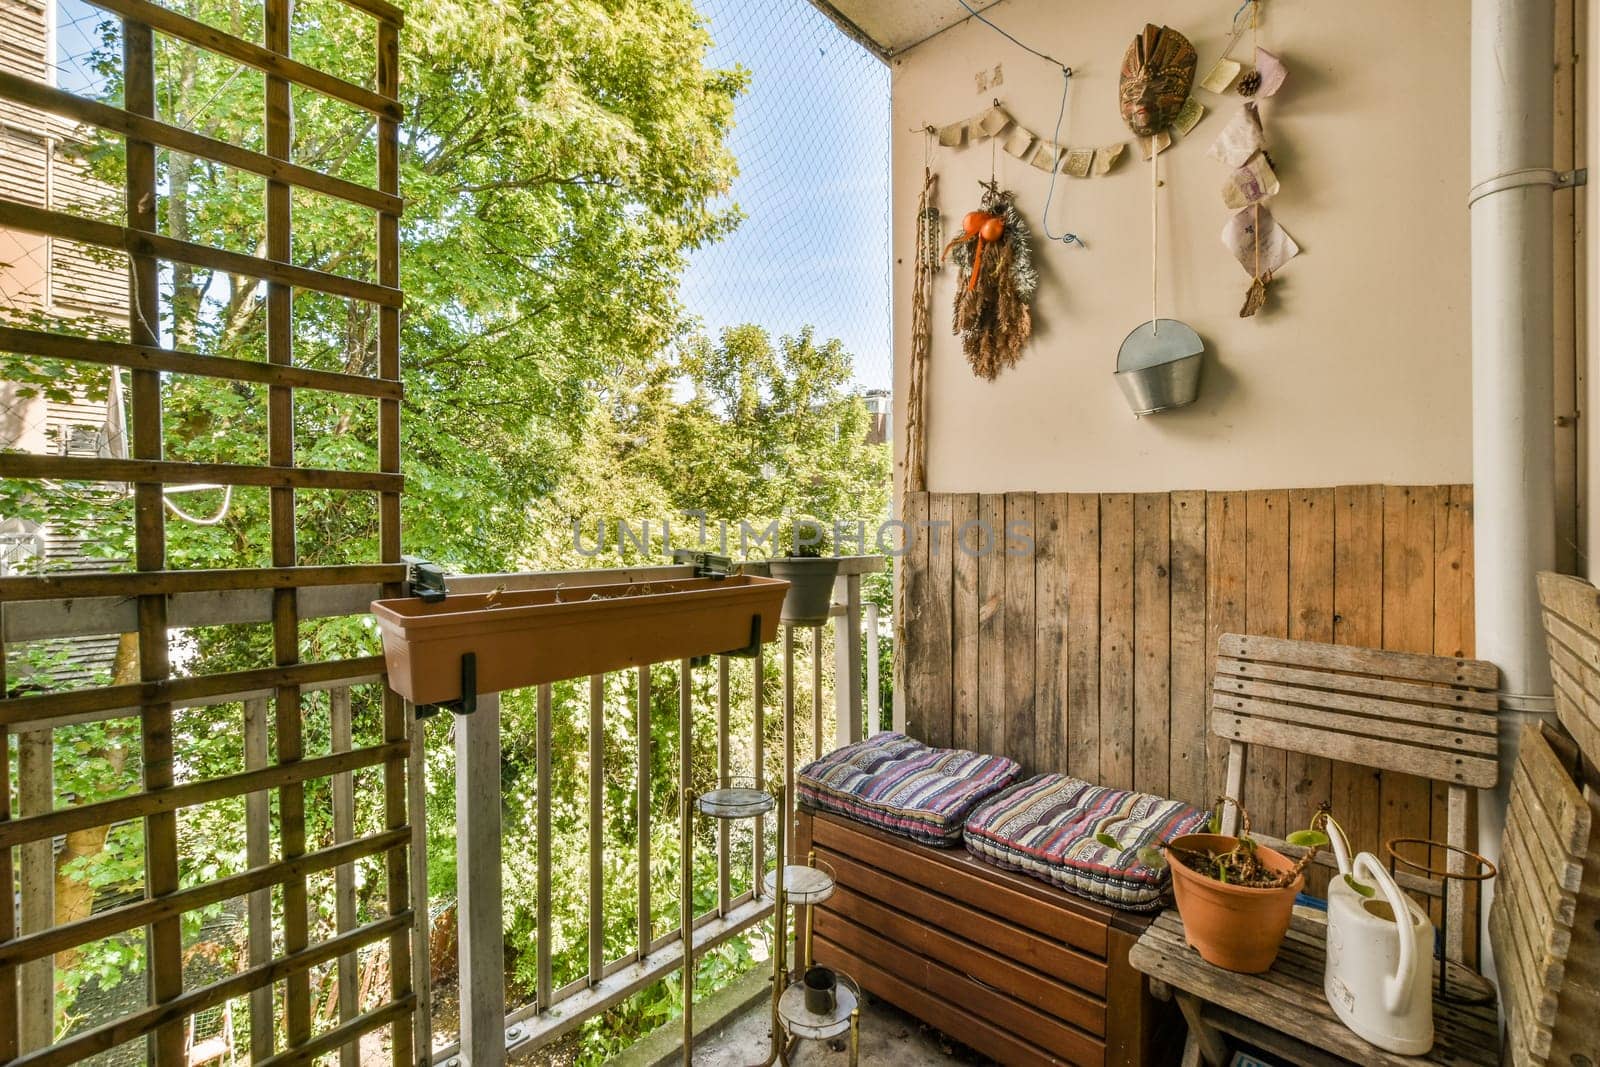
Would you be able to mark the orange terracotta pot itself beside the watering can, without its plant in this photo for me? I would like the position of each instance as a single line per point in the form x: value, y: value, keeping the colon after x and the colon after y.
x: 1233, y: 927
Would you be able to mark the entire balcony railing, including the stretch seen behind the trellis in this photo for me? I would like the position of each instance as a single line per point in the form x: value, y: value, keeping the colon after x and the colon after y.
x: 489, y: 1025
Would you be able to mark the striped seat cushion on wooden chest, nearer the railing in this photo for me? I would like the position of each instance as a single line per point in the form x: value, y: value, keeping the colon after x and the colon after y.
x: 903, y: 786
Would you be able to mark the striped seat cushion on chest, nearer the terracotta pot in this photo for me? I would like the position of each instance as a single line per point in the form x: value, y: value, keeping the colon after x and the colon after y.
x: 1047, y: 828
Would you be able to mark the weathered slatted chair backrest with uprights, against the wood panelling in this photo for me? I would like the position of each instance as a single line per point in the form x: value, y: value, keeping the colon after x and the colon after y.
x: 1428, y: 716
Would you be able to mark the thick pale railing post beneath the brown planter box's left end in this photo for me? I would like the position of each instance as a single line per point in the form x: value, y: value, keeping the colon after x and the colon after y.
x: 482, y: 961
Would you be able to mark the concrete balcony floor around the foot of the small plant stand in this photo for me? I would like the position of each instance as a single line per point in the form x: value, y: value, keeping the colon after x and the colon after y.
x: 889, y: 1039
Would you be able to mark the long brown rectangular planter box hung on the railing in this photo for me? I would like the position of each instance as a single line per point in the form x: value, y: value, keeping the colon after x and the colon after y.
x: 554, y: 634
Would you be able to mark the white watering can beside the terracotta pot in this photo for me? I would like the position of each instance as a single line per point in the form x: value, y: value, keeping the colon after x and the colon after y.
x: 1380, y: 972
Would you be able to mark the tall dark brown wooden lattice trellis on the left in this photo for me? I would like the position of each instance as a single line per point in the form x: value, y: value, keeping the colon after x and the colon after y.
x: 158, y: 591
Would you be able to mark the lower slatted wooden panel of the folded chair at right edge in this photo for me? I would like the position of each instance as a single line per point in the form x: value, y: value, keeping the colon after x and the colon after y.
x: 1542, y: 924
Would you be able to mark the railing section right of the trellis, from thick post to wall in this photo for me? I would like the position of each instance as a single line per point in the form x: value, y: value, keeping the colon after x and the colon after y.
x: 490, y: 1028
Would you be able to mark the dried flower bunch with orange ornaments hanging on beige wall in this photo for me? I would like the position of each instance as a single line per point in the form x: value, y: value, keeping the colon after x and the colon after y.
x: 996, y: 262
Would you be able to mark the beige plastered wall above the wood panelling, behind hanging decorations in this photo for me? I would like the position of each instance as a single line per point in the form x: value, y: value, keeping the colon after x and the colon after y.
x: 1359, y: 372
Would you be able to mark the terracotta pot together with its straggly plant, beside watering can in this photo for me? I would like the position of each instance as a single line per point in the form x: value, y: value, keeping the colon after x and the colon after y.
x: 1236, y: 895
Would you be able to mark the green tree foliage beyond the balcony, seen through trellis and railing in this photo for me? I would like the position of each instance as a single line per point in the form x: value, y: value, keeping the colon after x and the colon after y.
x: 561, y: 159
